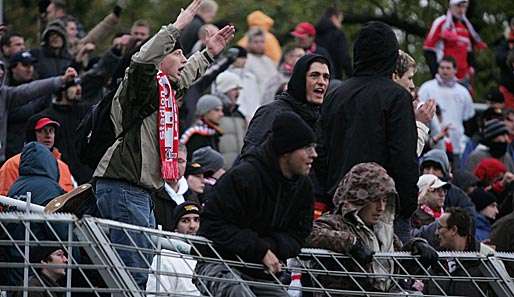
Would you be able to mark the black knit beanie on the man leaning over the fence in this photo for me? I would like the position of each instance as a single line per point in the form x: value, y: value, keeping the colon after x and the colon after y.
x: 289, y: 133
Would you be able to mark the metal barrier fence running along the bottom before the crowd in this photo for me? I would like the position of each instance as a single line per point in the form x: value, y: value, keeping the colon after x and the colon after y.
x: 96, y: 266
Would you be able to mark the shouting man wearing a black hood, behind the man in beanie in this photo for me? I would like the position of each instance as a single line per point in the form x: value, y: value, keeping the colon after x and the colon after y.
x: 305, y: 94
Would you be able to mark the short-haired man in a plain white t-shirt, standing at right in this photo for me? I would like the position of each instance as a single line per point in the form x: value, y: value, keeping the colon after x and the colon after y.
x: 454, y: 100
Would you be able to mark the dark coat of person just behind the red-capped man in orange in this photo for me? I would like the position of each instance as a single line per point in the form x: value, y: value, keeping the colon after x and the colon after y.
x: 69, y: 117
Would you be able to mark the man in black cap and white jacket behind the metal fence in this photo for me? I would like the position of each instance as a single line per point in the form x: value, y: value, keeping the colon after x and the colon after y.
x: 179, y: 268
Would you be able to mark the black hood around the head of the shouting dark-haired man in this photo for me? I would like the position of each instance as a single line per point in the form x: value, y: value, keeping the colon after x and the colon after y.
x: 296, y: 85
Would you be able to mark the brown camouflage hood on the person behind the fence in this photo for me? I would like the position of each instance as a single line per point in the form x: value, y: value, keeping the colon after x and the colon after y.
x: 363, y: 184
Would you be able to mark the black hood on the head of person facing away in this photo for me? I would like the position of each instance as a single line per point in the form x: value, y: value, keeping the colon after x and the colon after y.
x: 375, y: 51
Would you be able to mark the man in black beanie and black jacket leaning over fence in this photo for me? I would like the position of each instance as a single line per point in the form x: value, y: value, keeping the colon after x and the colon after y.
x: 261, y: 210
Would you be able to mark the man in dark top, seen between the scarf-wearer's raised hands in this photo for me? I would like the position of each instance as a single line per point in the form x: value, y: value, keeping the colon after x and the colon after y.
x: 205, y: 15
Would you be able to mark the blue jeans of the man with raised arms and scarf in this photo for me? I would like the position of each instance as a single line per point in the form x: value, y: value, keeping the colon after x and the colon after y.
x: 124, y: 202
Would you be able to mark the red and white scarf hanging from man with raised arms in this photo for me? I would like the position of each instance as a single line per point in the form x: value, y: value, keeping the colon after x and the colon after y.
x: 167, y: 122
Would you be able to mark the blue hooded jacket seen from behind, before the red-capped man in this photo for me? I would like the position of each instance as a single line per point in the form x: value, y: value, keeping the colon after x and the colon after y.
x: 39, y: 174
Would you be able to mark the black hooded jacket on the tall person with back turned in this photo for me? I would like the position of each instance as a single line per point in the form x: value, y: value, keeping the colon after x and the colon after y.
x: 369, y: 118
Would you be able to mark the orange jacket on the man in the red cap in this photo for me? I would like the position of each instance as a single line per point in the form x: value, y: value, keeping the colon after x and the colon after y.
x: 9, y: 173
